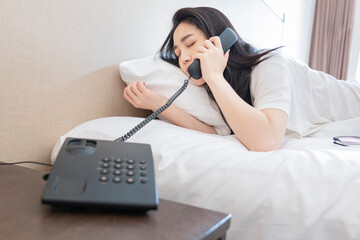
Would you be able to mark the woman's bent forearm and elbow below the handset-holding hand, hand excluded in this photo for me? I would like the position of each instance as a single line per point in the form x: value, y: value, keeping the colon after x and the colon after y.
x: 257, y: 130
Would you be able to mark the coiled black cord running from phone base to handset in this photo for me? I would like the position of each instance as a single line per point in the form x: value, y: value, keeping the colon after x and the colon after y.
x: 154, y: 114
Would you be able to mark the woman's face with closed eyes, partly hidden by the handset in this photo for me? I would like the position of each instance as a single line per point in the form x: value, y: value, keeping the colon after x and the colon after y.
x: 187, y: 38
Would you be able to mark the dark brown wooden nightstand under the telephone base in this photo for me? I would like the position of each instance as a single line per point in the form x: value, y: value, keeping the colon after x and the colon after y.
x: 24, y: 217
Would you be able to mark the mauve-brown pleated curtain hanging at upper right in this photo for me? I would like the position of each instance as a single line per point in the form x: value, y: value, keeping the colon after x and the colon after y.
x: 331, y: 37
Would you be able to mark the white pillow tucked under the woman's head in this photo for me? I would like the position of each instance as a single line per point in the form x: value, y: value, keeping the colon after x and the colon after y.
x: 166, y: 79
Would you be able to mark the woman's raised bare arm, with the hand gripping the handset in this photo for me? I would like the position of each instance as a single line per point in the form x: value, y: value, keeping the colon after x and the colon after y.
x: 257, y: 130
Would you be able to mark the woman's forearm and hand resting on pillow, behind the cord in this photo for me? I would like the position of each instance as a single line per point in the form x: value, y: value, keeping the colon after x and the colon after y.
x: 140, y: 96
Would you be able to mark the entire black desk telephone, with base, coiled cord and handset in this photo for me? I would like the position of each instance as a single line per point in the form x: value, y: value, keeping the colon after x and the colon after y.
x: 112, y: 174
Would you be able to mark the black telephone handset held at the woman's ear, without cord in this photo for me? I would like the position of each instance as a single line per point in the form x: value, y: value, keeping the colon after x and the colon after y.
x: 228, y: 37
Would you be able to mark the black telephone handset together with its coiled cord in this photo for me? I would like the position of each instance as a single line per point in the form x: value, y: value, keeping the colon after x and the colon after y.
x: 228, y: 37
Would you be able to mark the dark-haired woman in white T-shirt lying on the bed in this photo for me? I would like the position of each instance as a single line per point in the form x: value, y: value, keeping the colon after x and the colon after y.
x: 261, y: 94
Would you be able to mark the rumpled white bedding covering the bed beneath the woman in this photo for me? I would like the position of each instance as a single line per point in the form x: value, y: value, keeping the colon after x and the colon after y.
x: 309, y: 189
